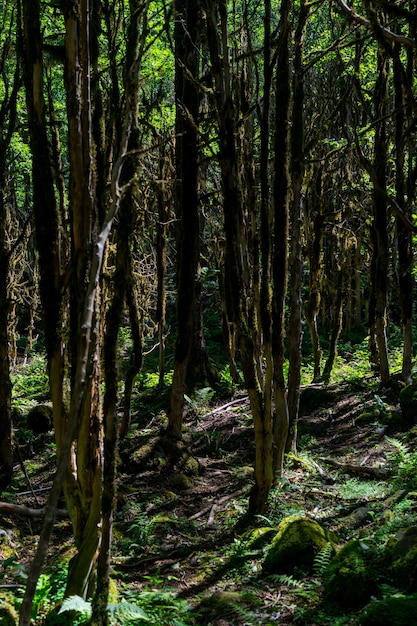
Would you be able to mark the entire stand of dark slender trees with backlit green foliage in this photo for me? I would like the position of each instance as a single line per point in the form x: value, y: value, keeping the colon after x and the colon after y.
x: 159, y: 160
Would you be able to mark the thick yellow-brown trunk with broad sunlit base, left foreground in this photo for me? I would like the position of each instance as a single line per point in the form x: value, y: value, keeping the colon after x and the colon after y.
x: 84, y: 495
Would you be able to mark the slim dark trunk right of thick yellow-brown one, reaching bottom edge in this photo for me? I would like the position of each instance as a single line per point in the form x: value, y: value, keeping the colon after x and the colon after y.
x: 123, y: 292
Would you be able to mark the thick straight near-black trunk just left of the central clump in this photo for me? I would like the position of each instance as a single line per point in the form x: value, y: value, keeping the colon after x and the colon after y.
x: 187, y: 197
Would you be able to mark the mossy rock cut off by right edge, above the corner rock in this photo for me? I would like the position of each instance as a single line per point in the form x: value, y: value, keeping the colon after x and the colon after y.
x: 402, y: 553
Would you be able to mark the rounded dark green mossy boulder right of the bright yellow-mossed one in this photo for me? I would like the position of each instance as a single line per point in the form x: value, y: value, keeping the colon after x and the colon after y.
x: 351, y: 579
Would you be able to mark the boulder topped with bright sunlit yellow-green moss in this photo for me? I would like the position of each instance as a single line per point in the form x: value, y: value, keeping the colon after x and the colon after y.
x: 296, y: 543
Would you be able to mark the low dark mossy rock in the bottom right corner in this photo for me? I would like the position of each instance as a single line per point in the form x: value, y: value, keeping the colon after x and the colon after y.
x: 393, y: 611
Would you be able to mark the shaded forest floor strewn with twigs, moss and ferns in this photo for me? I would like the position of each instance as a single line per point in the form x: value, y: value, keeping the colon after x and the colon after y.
x: 179, y: 542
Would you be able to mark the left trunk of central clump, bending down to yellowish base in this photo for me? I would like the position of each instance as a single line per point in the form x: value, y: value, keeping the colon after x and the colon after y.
x: 236, y: 250
